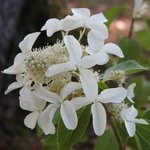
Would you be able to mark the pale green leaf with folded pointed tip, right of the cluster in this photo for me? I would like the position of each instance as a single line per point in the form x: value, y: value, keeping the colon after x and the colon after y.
x: 130, y: 67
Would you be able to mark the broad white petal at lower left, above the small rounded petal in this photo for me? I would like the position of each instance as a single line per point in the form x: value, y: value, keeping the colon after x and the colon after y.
x: 28, y: 101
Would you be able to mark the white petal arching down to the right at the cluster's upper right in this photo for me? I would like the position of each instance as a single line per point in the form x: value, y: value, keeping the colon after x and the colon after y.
x: 111, y: 48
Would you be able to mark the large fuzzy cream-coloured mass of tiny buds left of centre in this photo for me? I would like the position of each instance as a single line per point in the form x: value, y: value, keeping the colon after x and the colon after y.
x: 38, y: 61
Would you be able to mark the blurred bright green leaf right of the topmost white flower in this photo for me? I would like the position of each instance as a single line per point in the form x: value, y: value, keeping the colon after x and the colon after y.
x: 113, y: 13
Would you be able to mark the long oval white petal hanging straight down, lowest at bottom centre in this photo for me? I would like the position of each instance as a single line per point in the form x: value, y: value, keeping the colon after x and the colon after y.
x: 99, y: 118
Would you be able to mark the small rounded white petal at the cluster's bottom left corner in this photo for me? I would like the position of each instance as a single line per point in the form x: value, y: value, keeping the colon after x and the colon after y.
x: 31, y: 119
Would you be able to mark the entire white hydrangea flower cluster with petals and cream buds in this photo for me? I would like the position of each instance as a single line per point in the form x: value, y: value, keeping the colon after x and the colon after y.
x: 61, y: 76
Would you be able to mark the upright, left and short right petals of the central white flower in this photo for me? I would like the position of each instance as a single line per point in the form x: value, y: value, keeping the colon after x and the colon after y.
x: 75, y: 60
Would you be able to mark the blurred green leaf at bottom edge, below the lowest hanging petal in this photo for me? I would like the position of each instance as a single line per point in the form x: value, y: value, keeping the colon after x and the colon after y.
x: 106, y: 141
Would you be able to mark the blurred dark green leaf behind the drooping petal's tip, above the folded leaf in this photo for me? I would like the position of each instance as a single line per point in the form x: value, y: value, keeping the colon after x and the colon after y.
x: 130, y: 48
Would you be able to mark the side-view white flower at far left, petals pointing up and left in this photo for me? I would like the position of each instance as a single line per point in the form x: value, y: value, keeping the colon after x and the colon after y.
x: 19, y: 61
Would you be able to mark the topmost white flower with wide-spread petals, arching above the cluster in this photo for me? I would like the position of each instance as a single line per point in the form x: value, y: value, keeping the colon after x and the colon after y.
x: 80, y: 18
